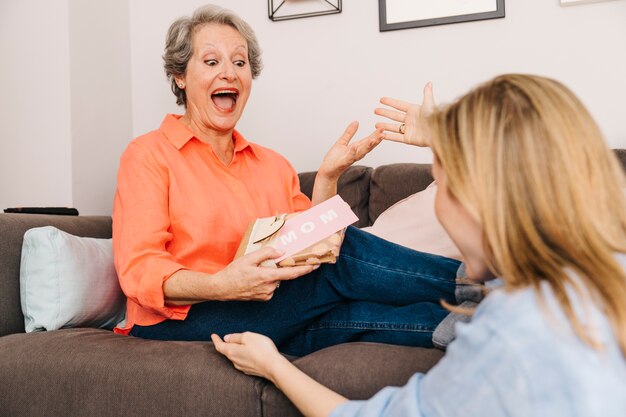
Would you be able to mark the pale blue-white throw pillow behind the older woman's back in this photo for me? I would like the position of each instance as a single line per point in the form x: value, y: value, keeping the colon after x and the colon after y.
x: 68, y: 281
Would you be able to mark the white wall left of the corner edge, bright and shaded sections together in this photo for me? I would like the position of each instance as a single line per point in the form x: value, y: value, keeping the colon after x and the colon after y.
x: 66, y: 102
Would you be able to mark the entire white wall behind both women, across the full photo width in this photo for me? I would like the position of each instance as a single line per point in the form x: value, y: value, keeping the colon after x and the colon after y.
x: 80, y: 78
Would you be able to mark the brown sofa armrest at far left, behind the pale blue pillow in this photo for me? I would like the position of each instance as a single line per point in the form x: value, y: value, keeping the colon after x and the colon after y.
x: 12, y: 229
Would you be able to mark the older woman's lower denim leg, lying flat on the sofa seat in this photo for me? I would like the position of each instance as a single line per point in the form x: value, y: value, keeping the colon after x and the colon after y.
x: 364, y: 321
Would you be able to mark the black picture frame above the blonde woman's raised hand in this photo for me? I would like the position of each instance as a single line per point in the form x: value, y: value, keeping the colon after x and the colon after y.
x: 406, y: 14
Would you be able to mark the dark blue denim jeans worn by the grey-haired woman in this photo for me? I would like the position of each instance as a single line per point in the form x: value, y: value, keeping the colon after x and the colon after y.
x: 377, y: 291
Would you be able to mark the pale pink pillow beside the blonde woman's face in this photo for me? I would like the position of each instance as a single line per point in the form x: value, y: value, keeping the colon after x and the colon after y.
x: 412, y: 223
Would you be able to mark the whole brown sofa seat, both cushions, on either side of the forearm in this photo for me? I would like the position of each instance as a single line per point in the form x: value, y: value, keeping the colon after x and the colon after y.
x: 85, y: 372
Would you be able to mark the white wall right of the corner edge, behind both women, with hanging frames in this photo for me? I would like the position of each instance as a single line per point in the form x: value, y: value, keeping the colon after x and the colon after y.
x: 322, y: 72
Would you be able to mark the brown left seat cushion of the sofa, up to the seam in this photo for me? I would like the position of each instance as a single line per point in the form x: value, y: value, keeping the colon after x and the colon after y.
x: 91, y: 372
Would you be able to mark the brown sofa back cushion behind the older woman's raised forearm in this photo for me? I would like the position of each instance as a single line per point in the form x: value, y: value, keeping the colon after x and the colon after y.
x: 353, y: 187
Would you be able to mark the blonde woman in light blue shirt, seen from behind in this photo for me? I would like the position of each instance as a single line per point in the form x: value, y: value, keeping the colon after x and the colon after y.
x: 529, y: 192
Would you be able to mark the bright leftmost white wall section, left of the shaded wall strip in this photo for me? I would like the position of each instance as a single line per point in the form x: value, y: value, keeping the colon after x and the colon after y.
x: 35, y: 147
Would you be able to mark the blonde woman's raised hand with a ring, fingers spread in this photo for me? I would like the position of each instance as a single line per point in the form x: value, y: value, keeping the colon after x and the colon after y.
x: 411, y: 128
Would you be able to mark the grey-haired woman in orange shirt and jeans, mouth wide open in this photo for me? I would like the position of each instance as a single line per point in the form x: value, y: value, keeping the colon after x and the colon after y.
x: 187, y: 191
